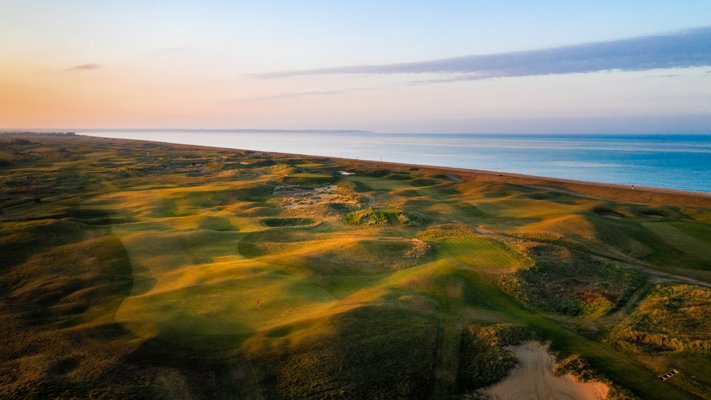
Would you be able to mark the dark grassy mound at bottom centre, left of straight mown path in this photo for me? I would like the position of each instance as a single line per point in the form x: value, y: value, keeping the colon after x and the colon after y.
x: 370, y: 352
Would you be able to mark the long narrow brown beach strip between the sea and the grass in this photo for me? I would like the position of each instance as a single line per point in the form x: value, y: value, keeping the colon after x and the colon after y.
x: 612, y: 191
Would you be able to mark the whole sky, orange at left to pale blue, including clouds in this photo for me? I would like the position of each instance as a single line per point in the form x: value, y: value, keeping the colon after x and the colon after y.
x: 386, y: 66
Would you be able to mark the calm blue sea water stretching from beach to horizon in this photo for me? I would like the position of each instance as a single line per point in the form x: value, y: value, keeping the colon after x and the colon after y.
x: 667, y: 161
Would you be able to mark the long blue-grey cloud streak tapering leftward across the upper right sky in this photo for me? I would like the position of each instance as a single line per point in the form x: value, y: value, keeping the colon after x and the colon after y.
x: 690, y: 48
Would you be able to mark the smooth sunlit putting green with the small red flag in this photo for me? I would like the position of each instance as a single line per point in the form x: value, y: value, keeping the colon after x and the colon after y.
x: 222, y: 300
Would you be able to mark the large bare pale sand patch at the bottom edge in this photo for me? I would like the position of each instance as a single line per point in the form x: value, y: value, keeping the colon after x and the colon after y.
x: 533, y: 379
